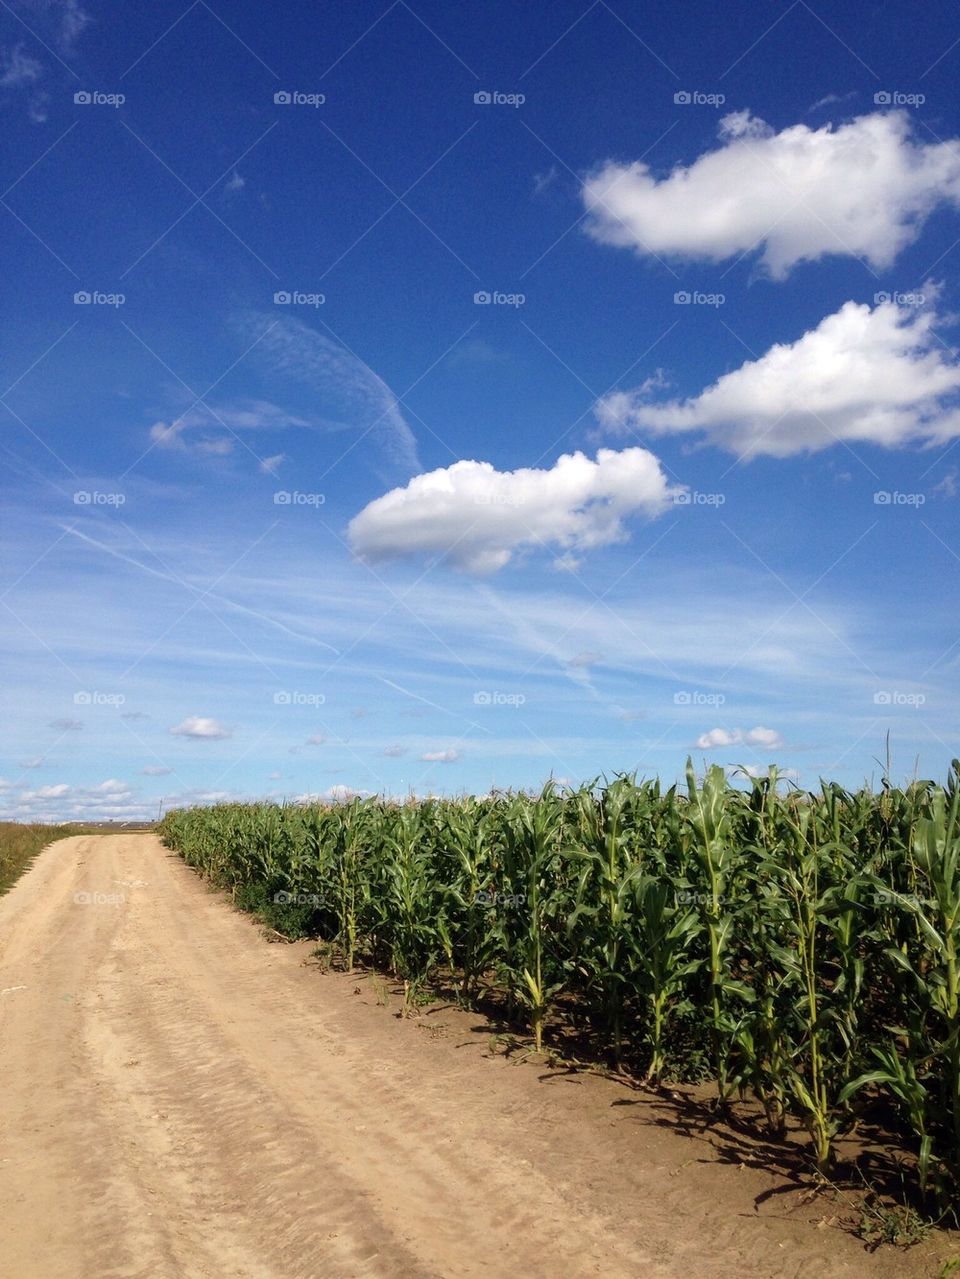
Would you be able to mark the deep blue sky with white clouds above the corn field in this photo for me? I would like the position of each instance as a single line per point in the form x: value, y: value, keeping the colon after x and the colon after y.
x: 470, y: 395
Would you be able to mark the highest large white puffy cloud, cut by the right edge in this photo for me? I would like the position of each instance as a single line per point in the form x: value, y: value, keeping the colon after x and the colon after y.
x: 862, y: 190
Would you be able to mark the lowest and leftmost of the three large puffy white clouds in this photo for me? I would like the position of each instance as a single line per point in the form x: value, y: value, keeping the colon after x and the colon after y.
x: 479, y: 517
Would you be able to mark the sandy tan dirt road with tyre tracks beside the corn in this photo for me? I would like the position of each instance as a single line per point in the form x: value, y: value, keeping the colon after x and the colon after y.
x: 181, y: 1099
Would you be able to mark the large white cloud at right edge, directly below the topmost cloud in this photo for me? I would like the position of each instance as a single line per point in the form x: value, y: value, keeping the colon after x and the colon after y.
x: 876, y: 375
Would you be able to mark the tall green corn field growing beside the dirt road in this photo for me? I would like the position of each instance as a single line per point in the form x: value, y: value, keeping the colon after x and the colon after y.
x: 800, y: 948
